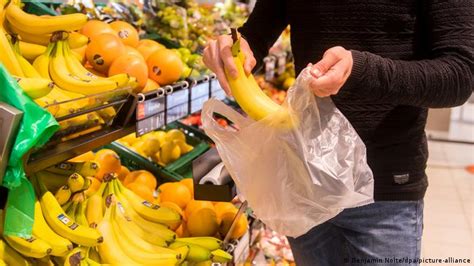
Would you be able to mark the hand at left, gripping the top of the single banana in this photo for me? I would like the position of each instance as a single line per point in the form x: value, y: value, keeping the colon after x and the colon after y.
x: 218, y: 55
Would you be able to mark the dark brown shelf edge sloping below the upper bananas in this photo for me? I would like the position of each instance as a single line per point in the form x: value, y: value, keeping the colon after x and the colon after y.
x: 69, y: 149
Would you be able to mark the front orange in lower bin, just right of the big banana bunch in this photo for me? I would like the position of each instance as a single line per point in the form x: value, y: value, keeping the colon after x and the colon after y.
x: 203, y: 222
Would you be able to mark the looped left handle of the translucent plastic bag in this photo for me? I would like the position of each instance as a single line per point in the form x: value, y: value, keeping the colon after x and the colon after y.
x: 211, y: 126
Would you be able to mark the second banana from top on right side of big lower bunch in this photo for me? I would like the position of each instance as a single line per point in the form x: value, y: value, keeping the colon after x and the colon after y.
x: 154, y: 233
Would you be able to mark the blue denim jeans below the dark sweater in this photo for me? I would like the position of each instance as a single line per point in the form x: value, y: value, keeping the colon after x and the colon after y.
x: 382, y: 233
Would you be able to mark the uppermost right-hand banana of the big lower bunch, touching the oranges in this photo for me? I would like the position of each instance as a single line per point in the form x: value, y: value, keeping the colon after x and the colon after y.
x: 148, y: 210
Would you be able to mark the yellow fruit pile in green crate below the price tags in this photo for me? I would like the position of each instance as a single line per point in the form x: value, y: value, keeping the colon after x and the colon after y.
x: 160, y: 146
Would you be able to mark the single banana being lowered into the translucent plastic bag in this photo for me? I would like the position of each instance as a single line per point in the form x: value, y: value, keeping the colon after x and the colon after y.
x: 251, y: 97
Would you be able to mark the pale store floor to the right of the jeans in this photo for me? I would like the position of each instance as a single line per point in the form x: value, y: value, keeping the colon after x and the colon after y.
x: 448, y: 217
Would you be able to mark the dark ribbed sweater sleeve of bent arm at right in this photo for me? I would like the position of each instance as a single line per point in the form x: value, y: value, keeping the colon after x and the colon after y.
x: 443, y: 79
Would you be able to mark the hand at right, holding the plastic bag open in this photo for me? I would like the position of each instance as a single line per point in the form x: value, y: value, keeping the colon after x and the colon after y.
x: 331, y: 72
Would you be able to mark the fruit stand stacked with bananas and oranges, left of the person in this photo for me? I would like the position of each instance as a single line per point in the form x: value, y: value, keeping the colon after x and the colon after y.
x: 116, y: 182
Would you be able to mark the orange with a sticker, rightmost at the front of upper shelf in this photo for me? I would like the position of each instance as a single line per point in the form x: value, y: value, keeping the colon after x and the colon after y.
x: 164, y: 66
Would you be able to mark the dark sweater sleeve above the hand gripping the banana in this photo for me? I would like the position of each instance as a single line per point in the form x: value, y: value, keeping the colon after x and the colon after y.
x: 264, y: 25
